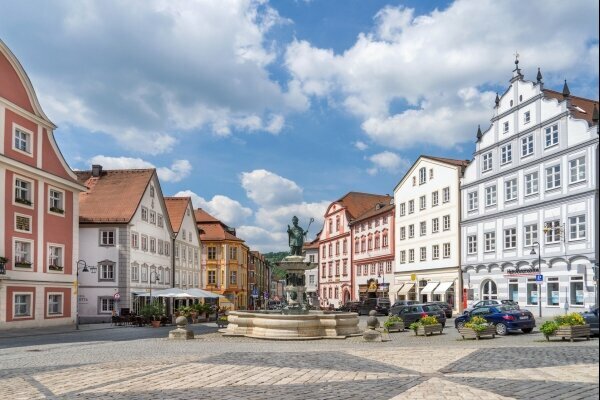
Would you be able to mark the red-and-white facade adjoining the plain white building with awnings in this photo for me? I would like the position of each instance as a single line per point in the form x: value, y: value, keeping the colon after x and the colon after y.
x: 373, y: 251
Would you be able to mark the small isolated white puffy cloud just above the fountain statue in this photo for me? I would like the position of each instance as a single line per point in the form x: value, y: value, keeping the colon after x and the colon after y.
x: 268, y: 189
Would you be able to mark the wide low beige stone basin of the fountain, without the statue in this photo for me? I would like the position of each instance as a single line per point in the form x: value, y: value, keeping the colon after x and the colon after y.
x: 277, y: 326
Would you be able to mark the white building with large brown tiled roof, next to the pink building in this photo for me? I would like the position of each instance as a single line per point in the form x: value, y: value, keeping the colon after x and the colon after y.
x: 126, y: 235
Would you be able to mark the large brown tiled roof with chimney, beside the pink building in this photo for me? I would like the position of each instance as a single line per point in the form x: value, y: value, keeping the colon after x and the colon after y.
x: 114, y: 196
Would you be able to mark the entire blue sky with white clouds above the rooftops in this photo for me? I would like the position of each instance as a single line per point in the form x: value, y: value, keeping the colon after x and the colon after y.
x: 263, y: 110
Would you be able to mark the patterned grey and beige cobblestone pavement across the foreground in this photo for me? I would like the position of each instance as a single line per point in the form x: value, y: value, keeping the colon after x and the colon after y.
x: 135, y: 363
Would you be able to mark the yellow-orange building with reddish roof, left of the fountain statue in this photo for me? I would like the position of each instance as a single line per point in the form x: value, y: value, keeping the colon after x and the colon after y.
x: 224, y: 260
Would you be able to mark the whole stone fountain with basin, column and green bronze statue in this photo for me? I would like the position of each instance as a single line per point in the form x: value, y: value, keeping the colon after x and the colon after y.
x: 295, y: 320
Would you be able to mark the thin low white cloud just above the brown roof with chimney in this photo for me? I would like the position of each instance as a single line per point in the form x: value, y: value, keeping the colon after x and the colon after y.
x: 179, y: 170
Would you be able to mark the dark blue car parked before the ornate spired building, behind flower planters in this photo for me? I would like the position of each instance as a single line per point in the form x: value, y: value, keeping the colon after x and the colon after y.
x: 504, y: 318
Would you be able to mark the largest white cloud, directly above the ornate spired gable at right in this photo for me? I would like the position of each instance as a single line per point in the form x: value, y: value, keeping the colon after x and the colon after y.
x: 442, y: 70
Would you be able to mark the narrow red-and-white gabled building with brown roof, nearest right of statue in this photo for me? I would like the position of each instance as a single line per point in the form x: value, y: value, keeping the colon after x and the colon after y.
x: 336, y: 281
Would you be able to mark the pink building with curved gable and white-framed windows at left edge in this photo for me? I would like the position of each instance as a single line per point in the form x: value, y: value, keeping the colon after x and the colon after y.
x: 39, y: 217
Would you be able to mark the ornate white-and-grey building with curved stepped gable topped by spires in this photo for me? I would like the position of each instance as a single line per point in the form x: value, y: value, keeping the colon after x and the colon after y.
x: 532, y: 186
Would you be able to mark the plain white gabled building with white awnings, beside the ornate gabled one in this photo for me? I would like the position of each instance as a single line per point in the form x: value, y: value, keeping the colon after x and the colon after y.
x: 427, y: 232
